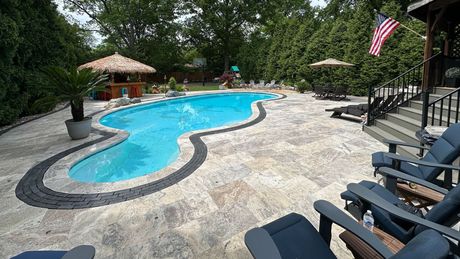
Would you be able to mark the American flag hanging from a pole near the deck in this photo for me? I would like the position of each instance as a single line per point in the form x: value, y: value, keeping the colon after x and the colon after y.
x: 385, y: 27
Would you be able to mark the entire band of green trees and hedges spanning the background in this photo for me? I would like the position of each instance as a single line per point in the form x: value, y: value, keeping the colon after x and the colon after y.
x: 266, y: 39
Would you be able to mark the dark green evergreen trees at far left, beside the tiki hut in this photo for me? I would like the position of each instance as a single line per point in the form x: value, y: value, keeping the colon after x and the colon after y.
x: 32, y: 35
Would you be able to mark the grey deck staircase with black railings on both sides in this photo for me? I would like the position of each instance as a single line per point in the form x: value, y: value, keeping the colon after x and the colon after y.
x: 400, y: 107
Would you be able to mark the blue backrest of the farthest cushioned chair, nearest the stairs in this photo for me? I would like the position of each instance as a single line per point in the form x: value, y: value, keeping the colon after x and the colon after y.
x: 444, y: 151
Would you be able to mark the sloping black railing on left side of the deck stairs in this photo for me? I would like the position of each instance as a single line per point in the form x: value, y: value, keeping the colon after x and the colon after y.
x: 396, y: 92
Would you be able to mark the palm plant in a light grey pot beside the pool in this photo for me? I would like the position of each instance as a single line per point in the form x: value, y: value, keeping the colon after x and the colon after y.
x: 74, y: 85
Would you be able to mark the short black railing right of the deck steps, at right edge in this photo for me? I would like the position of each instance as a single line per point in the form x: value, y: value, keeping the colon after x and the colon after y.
x: 444, y: 110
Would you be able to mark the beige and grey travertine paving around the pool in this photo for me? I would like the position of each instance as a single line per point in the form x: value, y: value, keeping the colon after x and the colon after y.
x: 251, y: 176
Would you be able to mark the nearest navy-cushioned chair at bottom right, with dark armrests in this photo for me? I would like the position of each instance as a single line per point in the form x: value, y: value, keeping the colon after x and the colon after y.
x: 293, y: 236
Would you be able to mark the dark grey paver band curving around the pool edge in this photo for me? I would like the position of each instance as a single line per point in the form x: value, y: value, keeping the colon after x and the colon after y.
x: 32, y: 190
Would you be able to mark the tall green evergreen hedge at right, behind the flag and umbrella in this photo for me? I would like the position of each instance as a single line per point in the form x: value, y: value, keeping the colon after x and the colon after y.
x: 342, y: 30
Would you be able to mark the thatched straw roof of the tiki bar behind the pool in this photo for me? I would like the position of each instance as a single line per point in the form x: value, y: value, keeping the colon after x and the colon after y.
x: 116, y: 63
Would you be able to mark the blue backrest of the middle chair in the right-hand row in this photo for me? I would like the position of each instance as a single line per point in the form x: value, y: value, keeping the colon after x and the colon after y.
x: 446, y: 212
